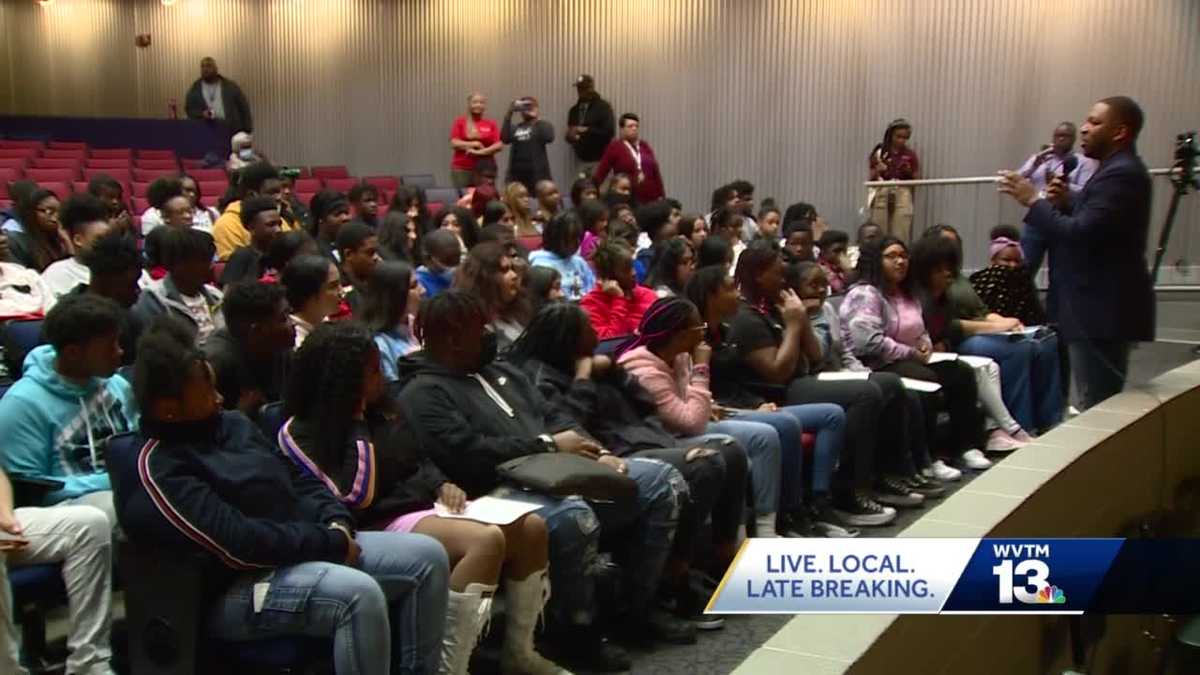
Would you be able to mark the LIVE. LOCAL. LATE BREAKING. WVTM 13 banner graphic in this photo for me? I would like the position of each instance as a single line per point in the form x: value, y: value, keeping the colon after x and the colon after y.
x: 901, y: 576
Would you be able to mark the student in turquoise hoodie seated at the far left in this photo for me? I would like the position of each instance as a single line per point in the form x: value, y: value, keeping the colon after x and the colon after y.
x: 58, y: 417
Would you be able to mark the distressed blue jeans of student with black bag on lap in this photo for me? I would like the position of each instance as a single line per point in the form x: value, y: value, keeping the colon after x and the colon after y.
x: 575, y: 525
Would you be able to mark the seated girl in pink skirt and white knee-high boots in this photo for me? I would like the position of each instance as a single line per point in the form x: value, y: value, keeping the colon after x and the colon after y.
x: 341, y: 431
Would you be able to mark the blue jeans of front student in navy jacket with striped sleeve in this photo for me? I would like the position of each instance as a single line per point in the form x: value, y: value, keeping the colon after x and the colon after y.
x: 386, y: 618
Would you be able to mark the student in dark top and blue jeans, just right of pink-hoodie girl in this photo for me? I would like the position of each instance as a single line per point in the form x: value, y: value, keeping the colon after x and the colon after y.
x: 808, y: 510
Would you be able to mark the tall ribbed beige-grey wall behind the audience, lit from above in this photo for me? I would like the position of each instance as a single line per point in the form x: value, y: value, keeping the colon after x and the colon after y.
x: 789, y: 94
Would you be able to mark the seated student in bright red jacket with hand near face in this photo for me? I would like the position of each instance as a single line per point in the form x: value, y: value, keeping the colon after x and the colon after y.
x: 617, y: 304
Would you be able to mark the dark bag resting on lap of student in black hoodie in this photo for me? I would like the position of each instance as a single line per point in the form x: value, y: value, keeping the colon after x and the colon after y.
x: 563, y: 475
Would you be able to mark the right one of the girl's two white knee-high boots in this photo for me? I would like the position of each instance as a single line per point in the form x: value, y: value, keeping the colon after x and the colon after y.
x: 524, y: 601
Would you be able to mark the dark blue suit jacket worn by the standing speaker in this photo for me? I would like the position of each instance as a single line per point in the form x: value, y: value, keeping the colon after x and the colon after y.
x: 1100, y: 279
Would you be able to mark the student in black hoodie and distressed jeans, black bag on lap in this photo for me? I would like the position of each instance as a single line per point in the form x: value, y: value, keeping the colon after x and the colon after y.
x: 472, y: 415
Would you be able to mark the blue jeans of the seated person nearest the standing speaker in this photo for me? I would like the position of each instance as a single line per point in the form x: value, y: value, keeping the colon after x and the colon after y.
x: 1029, y: 377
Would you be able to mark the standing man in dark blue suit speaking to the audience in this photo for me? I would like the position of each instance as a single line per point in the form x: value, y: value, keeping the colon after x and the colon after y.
x: 1101, y: 292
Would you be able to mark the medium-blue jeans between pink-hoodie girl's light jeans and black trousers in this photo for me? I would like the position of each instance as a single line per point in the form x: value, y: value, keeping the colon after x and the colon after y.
x: 827, y: 422
